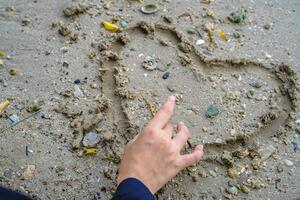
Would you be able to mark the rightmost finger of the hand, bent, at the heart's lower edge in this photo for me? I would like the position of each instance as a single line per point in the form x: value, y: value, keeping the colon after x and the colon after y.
x: 192, y: 158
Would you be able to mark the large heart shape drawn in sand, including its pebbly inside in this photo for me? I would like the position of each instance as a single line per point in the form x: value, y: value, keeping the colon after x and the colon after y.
x: 248, y: 111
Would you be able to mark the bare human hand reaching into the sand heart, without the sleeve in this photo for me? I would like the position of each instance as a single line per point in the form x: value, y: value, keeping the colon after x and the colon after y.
x: 153, y: 156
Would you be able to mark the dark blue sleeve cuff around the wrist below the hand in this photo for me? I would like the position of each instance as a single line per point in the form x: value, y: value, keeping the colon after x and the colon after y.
x: 132, y: 189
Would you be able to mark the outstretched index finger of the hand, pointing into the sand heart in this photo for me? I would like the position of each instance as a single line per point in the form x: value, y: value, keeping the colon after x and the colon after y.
x: 162, y: 117
